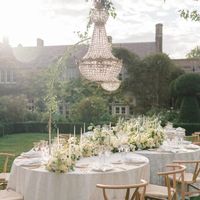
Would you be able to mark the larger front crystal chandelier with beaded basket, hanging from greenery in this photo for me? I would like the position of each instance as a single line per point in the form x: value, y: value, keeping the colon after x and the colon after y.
x: 99, y: 64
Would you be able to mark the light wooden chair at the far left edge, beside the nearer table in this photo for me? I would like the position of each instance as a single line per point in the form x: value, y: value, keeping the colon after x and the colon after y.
x: 4, y: 176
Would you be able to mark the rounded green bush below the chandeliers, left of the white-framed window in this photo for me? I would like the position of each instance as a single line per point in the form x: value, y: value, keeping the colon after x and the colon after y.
x: 92, y: 109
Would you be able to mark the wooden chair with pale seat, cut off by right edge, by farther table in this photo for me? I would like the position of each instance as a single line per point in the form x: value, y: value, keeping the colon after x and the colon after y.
x: 190, y: 179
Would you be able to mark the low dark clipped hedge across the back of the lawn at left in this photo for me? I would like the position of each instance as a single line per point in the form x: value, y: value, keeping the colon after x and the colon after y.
x: 39, y: 127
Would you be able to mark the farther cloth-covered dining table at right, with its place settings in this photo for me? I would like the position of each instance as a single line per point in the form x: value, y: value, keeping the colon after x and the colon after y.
x: 160, y: 157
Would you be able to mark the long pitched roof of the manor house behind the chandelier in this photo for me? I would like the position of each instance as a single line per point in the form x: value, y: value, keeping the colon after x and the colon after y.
x: 39, y: 57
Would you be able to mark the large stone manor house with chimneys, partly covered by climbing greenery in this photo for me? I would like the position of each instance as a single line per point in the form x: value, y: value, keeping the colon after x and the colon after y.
x: 14, y: 62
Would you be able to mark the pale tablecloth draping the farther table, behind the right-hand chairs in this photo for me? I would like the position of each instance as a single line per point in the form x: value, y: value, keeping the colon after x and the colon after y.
x: 158, y: 161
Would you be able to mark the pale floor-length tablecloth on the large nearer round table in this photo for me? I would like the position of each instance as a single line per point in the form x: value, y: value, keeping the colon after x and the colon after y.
x: 39, y: 184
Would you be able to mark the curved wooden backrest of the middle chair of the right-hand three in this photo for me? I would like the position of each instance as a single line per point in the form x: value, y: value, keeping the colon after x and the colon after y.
x: 171, y: 176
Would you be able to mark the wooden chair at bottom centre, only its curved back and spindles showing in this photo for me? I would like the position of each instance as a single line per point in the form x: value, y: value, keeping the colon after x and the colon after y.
x: 137, y: 194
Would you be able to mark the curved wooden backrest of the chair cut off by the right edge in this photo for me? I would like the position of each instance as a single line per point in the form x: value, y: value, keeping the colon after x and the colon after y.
x: 195, y: 163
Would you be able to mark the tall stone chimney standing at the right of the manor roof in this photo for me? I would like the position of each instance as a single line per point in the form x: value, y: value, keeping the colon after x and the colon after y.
x: 159, y: 38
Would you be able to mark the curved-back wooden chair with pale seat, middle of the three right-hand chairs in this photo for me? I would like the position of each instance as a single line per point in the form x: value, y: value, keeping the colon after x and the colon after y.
x: 169, y: 191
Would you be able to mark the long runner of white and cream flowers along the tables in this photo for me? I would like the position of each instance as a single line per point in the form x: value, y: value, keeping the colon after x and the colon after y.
x: 136, y: 133
